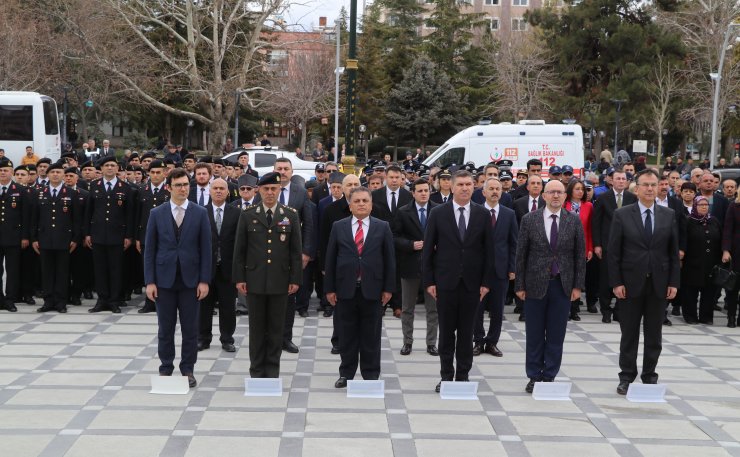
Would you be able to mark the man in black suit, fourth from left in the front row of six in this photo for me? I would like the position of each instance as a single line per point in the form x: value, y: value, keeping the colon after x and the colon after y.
x: 457, y: 273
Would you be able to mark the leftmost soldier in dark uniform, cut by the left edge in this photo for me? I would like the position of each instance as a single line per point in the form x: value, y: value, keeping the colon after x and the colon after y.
x: 15, y: 218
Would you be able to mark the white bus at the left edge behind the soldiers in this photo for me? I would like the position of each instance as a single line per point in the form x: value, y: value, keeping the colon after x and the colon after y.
x: 29, y: 119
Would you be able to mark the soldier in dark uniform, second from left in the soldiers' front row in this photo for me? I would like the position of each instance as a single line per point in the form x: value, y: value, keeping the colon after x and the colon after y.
x: 56, y: 230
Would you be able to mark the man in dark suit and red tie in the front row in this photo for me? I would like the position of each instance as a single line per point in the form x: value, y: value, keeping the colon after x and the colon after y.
x: 359, y: 285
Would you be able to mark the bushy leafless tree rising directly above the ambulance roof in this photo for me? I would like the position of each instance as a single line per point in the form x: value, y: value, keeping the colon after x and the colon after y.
x: 524, y: 77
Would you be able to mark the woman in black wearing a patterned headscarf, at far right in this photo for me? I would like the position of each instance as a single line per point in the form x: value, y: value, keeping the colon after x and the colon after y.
x: 703, y: 252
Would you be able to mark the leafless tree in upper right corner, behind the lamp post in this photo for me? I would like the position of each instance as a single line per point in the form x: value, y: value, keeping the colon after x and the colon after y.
x: 702, y: 25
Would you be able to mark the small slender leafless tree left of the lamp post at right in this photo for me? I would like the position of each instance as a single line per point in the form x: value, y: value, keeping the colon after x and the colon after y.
x: 662, y: 85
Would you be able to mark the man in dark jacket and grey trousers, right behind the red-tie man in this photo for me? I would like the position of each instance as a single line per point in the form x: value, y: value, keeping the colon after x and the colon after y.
x: 408, y: 234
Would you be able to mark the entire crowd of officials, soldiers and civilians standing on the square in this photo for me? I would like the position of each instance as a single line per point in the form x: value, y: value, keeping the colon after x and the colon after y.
x: 206, y: 237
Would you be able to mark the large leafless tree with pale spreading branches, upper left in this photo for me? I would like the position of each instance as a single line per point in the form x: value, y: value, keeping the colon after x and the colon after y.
x: 185, y: 57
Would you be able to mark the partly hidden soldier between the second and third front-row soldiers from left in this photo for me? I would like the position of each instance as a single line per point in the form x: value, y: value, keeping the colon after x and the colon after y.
x: 81, y: 258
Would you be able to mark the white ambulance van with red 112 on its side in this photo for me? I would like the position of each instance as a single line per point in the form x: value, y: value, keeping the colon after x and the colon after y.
x: 553, y: 144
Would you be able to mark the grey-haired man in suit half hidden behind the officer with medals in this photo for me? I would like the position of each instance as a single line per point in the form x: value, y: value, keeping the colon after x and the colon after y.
x: 296, y: 197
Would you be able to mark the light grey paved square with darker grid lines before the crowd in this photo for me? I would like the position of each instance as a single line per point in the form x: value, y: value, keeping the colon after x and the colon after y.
x: 77, y: 385
